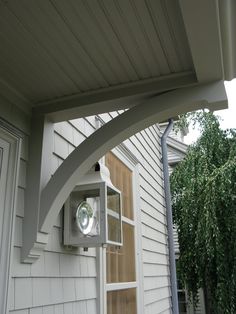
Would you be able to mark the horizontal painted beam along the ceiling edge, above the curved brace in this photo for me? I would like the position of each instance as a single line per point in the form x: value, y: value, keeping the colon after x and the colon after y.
x: 113, y: 98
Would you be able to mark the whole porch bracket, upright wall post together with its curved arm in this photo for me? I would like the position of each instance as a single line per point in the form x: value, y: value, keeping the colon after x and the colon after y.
x: 45, y: 197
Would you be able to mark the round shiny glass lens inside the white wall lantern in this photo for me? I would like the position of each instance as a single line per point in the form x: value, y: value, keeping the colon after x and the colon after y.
x: 84, y: 217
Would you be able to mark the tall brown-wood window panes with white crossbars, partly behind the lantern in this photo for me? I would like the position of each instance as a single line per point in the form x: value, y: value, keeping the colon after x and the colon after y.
x: 120, y: 261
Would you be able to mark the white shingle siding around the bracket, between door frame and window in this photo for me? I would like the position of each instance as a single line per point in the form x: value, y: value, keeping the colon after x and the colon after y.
x: 61, y: 281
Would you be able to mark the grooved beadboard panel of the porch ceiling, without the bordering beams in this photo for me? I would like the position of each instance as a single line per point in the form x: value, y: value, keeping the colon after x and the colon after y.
x: 52, y: 49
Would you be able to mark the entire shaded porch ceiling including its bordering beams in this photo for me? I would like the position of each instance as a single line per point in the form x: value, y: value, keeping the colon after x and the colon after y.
x: 74, y: 57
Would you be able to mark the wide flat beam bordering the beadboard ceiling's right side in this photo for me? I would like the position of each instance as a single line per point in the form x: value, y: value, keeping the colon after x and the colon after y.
x: 201, y: 19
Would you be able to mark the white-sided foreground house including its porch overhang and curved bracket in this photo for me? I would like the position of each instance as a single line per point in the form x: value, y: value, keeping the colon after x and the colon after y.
x: 67, y: 60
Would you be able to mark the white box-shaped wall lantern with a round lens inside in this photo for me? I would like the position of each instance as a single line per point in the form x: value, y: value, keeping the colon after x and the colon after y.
x: 92, y: 212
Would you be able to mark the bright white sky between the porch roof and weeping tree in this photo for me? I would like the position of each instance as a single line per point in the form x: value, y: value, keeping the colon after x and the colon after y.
x: 228, y: 116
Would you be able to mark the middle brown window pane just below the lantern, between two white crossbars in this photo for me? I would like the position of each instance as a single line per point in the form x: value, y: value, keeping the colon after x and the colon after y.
x: 121, y: 261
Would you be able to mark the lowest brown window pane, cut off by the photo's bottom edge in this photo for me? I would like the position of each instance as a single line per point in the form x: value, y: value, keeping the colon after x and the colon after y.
x: 121, y: 302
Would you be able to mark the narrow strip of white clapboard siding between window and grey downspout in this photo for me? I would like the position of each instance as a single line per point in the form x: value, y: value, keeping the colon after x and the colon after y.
x: 146, y: 148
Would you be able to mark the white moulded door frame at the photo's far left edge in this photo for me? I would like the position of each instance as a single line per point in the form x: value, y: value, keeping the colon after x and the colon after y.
x: 12, y: 138
